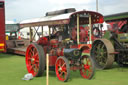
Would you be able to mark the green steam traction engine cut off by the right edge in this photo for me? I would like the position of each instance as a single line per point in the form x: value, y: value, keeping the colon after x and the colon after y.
x: 113, y: 46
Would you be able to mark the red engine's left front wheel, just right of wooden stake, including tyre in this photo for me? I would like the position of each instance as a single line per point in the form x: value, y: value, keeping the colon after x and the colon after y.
x: 62, y: 69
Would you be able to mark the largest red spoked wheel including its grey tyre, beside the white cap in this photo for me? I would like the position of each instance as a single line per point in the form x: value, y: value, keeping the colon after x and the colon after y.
x: 35, y: 59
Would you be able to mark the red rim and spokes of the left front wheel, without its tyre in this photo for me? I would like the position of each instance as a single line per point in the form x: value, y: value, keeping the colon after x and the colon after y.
x: 61, y: 69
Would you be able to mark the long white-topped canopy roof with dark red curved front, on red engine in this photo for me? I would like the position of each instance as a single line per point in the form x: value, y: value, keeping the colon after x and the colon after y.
x: 63, y: 19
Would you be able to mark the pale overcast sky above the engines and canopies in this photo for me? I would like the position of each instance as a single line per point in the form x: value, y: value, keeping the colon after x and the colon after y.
x: 25, y: 9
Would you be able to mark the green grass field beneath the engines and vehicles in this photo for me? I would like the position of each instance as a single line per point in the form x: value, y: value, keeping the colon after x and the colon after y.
x: 12, y: 69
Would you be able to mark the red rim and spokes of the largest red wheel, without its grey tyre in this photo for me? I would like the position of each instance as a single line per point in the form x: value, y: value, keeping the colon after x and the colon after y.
x: 32, y: 60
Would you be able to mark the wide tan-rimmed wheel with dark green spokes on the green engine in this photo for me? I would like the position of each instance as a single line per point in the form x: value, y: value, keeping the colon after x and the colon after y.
x: 101, y: 53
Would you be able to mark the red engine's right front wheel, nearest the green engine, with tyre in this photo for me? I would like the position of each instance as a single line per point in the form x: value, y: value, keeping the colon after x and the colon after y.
x: 87, y: 68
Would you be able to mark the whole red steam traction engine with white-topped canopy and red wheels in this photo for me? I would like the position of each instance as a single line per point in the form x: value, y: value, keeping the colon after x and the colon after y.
x: 68, y: 44
